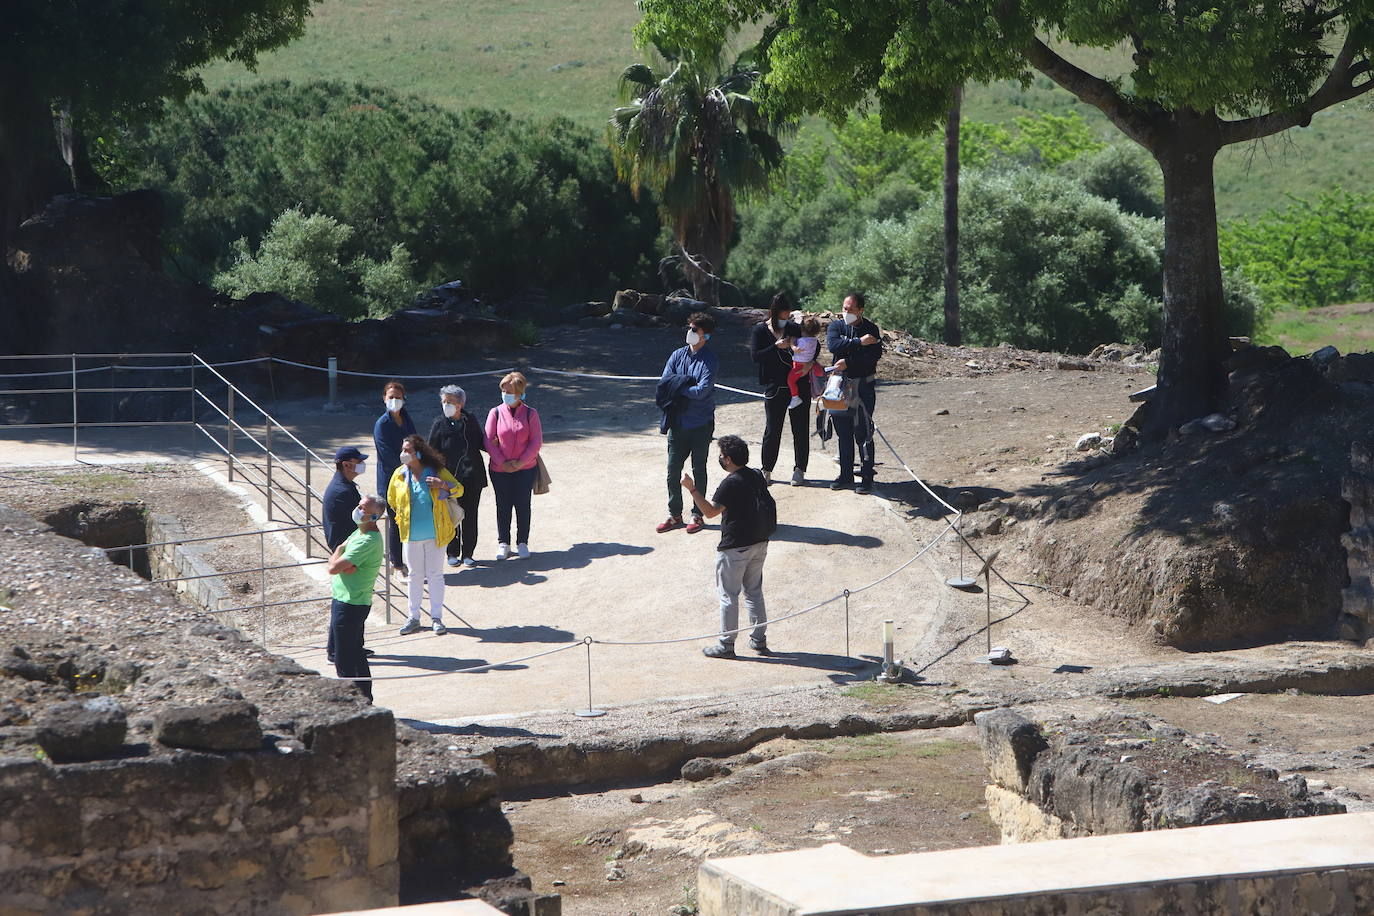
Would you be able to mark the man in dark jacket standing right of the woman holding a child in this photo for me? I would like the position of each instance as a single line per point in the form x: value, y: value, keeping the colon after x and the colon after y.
x: 857, y: 347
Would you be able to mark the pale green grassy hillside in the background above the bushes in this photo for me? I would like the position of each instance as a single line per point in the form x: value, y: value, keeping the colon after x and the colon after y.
x: 564, y: 57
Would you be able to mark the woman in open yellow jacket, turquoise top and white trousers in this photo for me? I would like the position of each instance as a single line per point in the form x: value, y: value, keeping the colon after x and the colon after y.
x: 417, y: 495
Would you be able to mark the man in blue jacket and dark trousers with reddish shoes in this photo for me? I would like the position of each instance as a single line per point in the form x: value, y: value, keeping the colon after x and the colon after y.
x: 693, y: 428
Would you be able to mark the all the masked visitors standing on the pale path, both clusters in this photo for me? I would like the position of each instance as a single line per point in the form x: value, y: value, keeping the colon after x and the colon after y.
x: 432, y: 488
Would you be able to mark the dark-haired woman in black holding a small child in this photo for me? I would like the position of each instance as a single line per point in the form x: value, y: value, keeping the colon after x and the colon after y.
x: 770, y: 345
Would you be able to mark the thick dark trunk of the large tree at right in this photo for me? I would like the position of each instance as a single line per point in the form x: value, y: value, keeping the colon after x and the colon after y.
x: 1195, y: 350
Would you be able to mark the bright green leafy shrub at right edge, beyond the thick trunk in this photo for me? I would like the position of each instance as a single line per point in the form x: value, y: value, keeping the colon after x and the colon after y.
x: 1311, y: 253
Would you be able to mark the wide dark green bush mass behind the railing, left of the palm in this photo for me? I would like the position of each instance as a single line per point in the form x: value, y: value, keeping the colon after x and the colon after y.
x: 477, y: 196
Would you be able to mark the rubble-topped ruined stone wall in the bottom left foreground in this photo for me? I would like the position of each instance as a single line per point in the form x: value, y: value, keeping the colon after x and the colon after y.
x: 199, y: 774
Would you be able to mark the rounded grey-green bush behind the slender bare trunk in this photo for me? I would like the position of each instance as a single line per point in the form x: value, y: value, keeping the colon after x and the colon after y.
x: 1044, y: 264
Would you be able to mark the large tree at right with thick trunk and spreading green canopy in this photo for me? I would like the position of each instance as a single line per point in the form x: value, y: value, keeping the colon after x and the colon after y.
x: 1200, y: 76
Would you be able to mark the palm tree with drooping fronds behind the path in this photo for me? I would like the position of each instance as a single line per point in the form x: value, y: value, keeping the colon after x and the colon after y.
x: 697, y: 139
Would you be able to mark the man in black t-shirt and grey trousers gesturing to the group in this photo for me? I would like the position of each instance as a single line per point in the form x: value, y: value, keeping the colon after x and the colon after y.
x: 743, y: 550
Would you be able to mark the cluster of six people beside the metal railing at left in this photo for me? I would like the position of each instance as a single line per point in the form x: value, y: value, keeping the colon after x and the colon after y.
x: 432, y: 491
